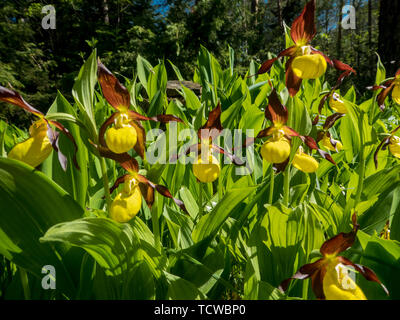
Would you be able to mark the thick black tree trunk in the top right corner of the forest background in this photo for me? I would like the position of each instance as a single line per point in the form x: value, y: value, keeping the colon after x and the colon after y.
x: 389, y: 32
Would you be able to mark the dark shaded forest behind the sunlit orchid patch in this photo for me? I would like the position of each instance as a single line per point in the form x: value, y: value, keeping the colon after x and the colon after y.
x: 39, y: 62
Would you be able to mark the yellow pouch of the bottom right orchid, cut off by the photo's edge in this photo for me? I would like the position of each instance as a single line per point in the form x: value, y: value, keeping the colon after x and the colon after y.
x: 338, y: 285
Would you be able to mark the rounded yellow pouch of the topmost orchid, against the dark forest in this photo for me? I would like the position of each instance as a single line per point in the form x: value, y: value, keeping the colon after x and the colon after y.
x: 309, y: 66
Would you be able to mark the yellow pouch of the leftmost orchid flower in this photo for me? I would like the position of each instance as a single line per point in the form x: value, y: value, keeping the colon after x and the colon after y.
x: 36, y: 149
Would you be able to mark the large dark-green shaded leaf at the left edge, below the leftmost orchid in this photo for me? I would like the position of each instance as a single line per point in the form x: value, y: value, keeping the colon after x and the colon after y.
x: 30, y: 203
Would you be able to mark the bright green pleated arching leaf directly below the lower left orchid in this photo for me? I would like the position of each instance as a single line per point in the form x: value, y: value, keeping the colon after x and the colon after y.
x: 115, y: 246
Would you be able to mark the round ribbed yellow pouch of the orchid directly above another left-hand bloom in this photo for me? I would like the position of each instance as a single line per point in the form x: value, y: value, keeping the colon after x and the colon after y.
x: 122, y: 137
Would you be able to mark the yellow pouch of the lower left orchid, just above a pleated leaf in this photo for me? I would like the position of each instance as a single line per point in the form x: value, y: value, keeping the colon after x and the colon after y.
x: 127, y: 203
